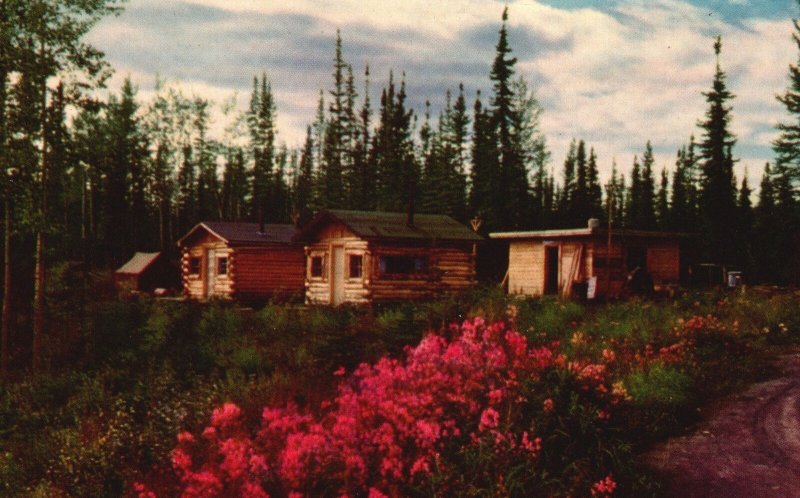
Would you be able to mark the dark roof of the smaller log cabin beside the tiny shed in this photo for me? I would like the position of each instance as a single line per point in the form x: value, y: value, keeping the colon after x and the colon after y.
x: 235, y: 233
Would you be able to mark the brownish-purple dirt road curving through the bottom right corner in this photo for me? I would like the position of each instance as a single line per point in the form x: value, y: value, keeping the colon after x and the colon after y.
x: 749, y: 446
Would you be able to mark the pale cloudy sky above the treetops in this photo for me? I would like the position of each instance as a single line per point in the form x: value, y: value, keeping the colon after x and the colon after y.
x: 615, y: 73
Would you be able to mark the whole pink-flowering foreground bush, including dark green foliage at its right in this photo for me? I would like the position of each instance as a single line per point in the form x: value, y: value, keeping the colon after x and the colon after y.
x: 458, y: 417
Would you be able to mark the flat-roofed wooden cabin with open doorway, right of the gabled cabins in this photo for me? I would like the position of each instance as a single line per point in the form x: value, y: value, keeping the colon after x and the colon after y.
x: 577, y: 262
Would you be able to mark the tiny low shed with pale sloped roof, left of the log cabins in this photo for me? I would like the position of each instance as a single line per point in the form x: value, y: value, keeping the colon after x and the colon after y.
x: 145, y: 272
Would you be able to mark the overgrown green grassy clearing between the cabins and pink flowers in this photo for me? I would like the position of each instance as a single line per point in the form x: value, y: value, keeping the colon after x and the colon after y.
x: 141, y: 371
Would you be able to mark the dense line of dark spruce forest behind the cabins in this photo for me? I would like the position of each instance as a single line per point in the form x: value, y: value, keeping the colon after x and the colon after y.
x: 121, y: 175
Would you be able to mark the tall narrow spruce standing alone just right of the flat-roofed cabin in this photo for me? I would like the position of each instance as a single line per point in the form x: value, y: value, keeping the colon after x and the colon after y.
x: 718, y: 196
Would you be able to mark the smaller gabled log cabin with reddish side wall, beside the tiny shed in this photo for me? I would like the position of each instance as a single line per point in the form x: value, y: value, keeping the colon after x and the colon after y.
x: 244, y: 261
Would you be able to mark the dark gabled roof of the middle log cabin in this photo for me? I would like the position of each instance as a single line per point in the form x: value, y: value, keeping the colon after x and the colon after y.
x: 385, y: 225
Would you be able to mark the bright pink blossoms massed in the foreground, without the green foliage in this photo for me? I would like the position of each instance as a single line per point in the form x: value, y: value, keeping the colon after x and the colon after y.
x: 396, y: 425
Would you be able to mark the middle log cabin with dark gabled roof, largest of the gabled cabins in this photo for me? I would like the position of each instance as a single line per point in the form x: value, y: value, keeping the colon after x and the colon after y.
x: 374, y: 257
